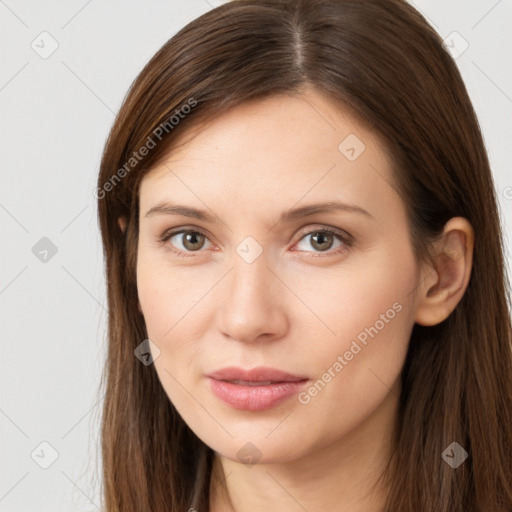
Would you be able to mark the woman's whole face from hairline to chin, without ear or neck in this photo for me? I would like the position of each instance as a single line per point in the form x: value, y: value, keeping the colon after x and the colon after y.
x: 276, y: 339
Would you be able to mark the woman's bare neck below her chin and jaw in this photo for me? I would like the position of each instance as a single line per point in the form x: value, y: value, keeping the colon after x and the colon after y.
x: 344, y: 476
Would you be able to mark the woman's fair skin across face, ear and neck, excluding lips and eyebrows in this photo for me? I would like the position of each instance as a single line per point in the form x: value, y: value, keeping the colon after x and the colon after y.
x: 297, y: 306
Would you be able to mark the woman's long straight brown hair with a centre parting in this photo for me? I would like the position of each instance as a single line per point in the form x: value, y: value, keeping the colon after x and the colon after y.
x: 383, y: 62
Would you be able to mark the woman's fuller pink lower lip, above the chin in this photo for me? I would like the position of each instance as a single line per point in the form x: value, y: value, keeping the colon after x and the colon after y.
x: 255, y: 398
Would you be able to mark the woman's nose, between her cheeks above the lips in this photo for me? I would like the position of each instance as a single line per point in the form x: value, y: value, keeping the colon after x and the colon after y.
x: 252, y: 305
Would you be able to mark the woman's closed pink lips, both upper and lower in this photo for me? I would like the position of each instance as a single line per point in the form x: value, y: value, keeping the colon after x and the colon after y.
x: 276, y: 386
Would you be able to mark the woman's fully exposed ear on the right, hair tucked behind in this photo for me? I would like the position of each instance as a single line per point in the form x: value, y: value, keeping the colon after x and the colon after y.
x: 443, y: 284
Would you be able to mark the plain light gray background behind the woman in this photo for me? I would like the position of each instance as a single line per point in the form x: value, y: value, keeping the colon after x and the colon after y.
x: 56, y: 114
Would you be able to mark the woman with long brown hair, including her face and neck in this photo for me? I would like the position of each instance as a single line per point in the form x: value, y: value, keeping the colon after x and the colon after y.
x: 307, y: 296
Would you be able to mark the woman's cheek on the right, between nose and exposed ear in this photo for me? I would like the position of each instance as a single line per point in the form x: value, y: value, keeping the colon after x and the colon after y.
x: 369, y: 311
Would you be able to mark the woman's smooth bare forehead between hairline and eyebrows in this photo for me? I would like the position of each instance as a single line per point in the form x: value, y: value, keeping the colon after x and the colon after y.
x: 275, y: 150
